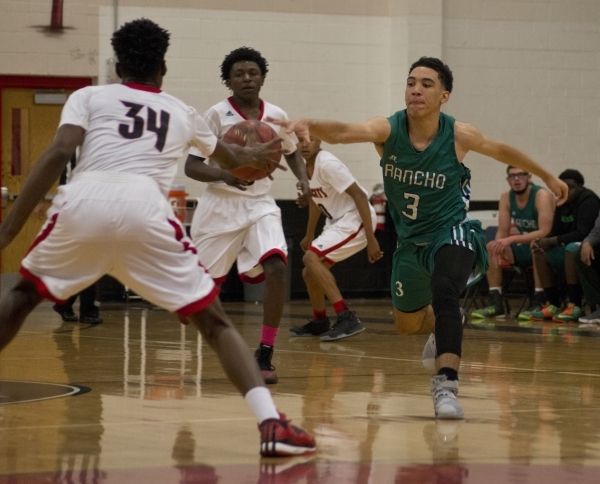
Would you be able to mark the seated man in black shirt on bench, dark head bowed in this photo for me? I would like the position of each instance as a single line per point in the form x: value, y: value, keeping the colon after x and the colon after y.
x: 555, y: 254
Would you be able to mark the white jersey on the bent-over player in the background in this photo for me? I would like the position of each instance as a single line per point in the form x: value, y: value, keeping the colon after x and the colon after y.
x: 328, y: 185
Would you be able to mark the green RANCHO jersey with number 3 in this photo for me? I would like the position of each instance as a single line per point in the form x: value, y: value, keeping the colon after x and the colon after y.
x: 428, y: 192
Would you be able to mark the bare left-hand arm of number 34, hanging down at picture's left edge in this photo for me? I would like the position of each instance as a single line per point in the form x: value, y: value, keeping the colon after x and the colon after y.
x: 46, y: 171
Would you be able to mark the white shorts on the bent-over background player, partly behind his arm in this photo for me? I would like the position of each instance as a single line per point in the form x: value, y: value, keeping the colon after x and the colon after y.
x: 343, y: 238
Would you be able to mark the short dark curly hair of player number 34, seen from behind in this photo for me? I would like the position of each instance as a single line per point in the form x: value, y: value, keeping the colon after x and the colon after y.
x: 140, y: 46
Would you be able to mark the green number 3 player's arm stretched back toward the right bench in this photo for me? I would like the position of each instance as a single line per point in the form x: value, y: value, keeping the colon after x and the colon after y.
x: 469, y: 138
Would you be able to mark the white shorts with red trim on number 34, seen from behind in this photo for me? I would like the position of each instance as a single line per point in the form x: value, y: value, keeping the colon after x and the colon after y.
x: 118, y: 224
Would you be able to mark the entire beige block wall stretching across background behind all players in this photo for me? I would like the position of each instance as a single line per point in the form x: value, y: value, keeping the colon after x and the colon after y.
x: 525, y: 71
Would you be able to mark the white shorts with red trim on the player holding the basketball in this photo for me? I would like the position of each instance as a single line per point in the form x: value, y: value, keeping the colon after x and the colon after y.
x: 226, y: 229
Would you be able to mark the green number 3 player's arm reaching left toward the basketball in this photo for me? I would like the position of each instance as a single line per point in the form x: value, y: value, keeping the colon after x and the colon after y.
x: 374, y: 130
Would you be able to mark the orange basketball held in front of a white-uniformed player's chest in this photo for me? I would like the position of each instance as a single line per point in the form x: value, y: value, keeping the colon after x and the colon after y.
x: 251, y: 132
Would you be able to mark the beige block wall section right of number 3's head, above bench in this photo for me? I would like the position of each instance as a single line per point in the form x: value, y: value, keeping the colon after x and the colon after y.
x: 526, y: 72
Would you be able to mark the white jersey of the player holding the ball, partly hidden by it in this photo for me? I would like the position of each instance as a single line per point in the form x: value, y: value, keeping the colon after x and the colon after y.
x: 226, y: 114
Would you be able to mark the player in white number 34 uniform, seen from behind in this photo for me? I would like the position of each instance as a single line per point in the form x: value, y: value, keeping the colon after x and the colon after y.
x: 113, y: 216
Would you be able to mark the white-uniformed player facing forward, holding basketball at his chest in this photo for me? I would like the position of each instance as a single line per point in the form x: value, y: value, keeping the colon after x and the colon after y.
x: 237, y: 220
